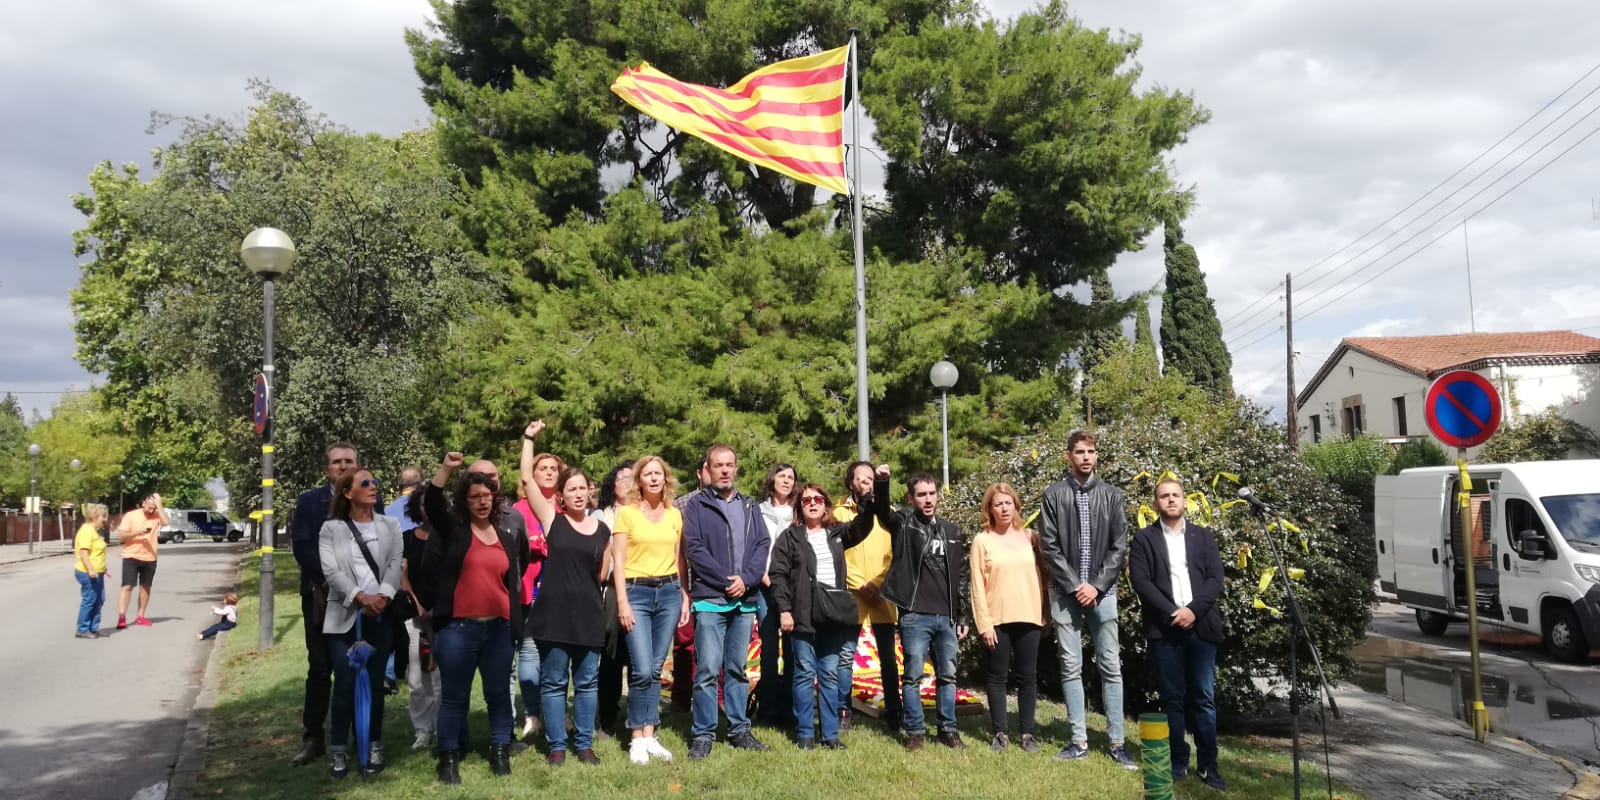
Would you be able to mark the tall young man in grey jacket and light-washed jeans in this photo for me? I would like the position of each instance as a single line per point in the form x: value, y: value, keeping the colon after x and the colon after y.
x: 1086, y: 542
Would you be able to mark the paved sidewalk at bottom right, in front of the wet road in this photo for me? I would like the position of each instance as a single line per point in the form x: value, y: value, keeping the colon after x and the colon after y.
x: 1390, y: 750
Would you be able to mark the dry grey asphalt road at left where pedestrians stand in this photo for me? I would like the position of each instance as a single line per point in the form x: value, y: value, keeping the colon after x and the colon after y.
x: 102, y: 719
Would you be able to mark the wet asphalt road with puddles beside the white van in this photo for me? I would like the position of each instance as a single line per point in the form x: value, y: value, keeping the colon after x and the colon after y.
x: 1529, y: 695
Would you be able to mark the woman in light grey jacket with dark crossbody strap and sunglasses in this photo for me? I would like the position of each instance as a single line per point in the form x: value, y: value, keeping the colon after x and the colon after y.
x: 361, y: 561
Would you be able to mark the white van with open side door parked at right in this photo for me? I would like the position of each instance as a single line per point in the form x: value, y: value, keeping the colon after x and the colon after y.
x: 1535, y: 546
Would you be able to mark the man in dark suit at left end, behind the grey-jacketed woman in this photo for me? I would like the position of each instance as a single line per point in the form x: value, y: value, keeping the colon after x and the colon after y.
x: 311, y: 511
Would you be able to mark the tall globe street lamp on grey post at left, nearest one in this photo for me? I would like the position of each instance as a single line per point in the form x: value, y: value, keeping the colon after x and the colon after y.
x: 270, y: 254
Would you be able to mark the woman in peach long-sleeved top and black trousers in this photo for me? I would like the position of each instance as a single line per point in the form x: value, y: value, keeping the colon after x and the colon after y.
x: 1009, y: 610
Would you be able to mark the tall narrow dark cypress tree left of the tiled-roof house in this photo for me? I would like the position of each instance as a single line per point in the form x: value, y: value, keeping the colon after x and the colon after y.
x: 1191, y: 334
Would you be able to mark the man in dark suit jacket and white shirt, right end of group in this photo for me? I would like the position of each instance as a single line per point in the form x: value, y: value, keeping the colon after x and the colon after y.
x: 1177, y: 572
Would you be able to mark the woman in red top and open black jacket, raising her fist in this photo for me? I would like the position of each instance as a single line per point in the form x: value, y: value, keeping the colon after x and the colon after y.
x: 473, y: 567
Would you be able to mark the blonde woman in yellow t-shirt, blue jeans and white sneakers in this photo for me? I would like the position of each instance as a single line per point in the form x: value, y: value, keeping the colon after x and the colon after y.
x: 652, y: 598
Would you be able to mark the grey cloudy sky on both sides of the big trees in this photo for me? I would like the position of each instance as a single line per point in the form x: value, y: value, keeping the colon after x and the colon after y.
x: 1329, y: 119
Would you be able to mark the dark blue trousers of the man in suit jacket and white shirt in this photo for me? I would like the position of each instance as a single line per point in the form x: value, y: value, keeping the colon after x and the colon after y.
x: 1186, y: 673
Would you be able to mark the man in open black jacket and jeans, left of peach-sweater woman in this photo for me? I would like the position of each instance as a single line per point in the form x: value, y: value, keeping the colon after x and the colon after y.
x: 927, y: 582
